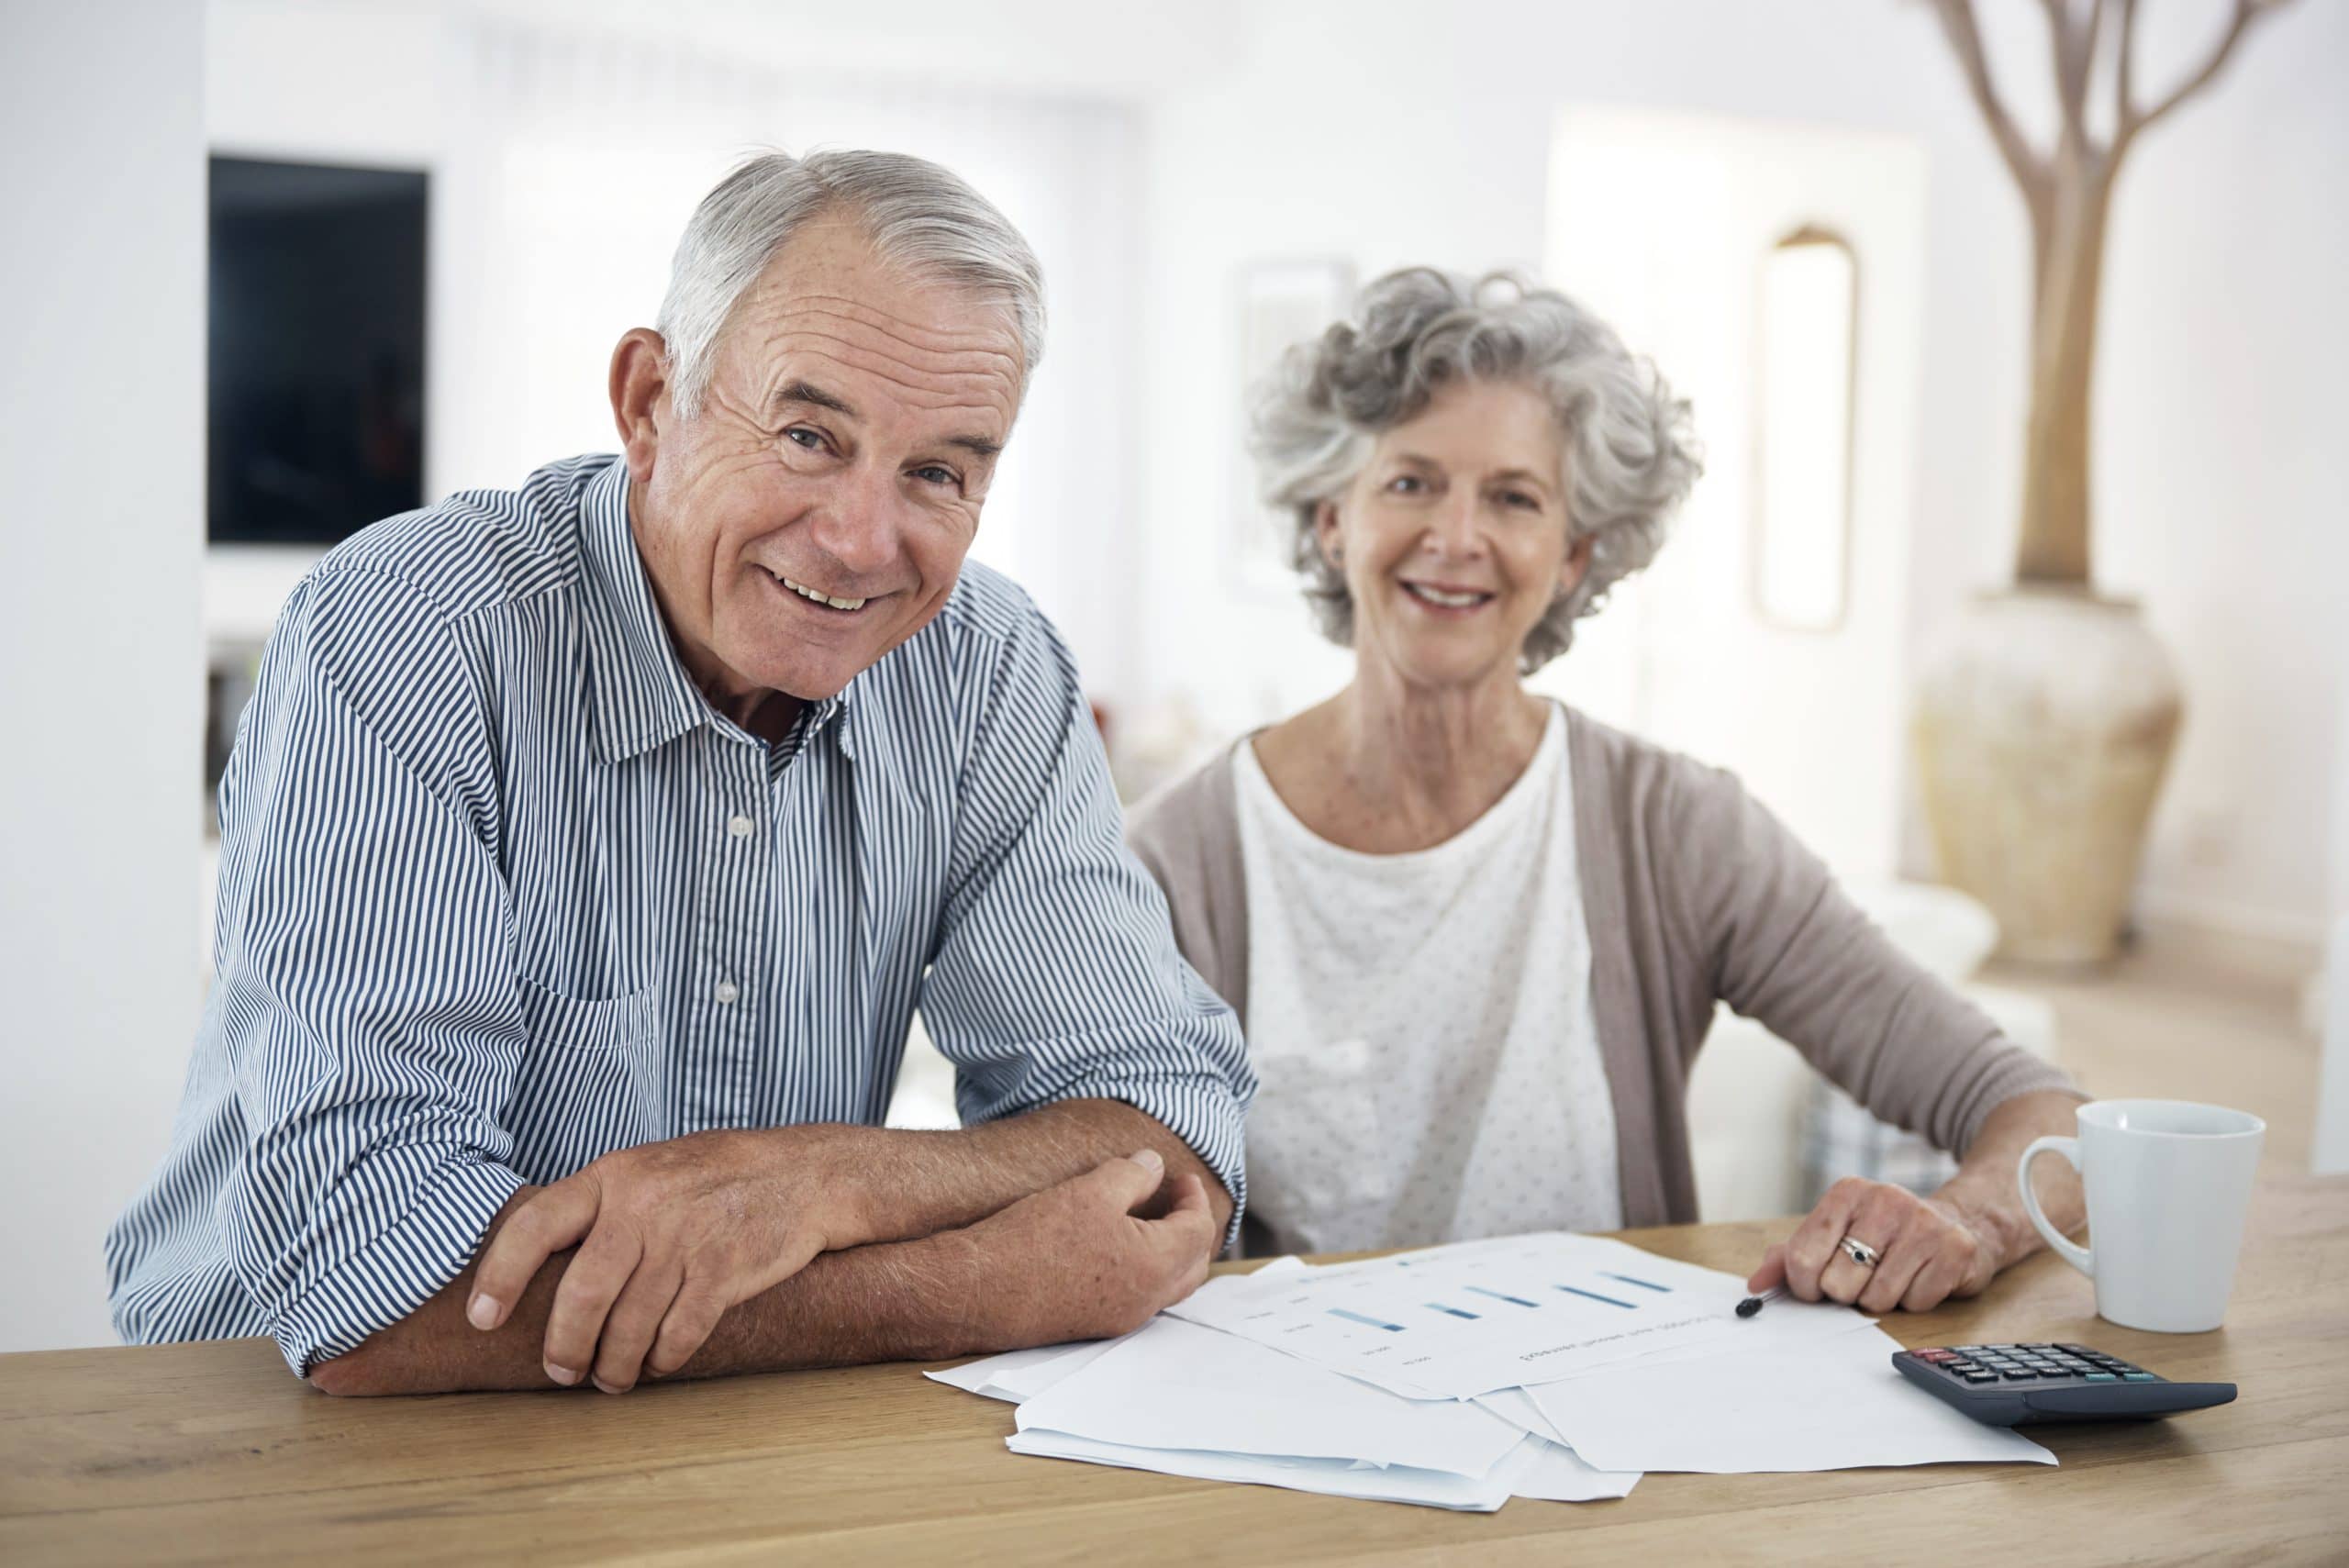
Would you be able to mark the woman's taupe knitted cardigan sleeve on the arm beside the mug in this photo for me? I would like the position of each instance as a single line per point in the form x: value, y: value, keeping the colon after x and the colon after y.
x: 1798, y: 957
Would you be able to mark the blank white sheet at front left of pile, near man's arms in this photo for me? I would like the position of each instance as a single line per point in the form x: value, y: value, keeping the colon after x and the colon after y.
x: 1180, y: 1386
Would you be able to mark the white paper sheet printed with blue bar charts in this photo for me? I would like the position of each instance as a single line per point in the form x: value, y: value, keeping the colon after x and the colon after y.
x: 1467, y: 1320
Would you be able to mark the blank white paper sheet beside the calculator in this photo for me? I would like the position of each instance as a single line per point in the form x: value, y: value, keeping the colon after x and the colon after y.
x: 1833, y: 1403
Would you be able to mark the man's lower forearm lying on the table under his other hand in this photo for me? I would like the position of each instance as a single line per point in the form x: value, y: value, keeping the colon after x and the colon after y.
x: 910, y: 1302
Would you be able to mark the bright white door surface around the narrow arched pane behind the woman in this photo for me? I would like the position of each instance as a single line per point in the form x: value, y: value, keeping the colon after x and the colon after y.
x: 1817, y: 717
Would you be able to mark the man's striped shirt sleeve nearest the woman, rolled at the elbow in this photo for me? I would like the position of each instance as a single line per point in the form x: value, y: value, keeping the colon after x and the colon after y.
x: 1056, y: 971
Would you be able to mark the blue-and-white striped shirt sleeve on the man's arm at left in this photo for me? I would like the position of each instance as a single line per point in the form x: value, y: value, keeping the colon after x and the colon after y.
x: 365, y: 987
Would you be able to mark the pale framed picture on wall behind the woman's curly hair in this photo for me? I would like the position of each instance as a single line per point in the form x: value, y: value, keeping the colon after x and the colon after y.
x: 1277, y: 306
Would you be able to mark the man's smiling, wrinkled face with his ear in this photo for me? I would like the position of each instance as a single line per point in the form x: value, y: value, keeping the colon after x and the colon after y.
x: 842, y: 452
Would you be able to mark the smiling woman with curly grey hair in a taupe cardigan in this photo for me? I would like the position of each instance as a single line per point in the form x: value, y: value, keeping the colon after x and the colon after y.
x: 1474, y: 935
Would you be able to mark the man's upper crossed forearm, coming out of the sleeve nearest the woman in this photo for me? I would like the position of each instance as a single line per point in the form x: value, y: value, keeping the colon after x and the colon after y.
x: 913, y: 1184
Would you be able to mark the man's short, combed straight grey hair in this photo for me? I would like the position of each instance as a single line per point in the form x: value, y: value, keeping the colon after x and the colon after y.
x: 917, y: 217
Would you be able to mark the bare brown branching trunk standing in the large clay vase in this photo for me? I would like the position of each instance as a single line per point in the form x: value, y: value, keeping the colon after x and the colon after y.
x: 2068, y: 194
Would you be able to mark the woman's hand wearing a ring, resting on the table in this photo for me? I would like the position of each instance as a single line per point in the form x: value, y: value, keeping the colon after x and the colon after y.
x: 1927, y: 1250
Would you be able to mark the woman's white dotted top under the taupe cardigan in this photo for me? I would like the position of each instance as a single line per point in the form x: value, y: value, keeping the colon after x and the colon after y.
x: 1422, y: 1027
